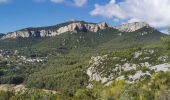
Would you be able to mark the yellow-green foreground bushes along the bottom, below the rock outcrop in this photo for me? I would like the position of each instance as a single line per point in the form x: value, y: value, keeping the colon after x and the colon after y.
x: 155, y: 88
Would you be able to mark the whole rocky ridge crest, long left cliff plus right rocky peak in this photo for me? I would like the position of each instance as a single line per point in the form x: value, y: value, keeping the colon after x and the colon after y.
x: 71, y: 26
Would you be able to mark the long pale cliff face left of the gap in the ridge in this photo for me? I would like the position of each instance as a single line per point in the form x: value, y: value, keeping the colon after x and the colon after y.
x: 47, y: 32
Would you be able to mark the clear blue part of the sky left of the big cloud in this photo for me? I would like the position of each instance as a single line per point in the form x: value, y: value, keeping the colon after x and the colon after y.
x: 19, y: 14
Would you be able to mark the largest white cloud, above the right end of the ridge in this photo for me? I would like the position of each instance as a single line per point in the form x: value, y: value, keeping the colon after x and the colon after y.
x: 154, y: 12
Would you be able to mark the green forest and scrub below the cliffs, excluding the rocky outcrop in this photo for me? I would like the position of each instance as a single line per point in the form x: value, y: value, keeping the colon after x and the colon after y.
x: 66, y: 59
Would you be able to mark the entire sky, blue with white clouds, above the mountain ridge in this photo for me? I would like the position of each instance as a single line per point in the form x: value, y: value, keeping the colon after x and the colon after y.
x: 18, y: 14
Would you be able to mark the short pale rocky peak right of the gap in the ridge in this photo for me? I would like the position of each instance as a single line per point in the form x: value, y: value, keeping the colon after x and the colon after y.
x: 130, y: 27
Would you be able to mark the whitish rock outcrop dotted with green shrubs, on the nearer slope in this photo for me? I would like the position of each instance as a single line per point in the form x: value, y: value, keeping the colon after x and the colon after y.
x: 141, y: 64
